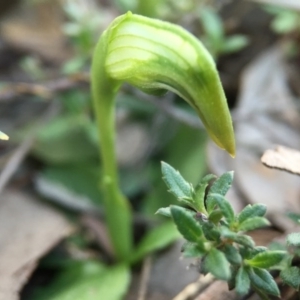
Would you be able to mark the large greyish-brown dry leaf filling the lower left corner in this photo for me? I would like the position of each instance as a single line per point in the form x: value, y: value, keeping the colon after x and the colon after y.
x: 28, y: 230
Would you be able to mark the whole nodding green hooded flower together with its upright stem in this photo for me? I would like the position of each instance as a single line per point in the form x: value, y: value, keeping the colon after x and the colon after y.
x: 156, y: 57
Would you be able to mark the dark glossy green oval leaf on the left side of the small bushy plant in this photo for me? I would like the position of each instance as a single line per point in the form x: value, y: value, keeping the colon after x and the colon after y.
x: 187, y: 224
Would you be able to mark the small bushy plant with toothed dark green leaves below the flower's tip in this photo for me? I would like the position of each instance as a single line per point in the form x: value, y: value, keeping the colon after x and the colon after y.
x: 217, y: 236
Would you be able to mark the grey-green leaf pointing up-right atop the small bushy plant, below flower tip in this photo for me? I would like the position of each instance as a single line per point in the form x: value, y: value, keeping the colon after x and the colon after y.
x: 220, y: 186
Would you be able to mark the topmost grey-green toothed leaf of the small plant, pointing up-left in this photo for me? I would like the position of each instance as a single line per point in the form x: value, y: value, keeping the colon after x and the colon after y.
x: 176, y: 183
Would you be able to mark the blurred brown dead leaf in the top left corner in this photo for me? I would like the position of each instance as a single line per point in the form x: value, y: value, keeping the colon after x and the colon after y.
x: 37, y: 29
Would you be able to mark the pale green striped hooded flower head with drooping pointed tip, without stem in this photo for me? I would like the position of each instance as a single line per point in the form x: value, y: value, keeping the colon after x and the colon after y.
x: 156, y: 56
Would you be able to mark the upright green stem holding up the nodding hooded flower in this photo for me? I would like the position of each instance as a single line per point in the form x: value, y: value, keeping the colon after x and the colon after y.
x: 117, y: 209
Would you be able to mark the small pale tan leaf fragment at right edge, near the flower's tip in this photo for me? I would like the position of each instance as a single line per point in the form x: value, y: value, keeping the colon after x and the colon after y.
x: 282, y: 158
